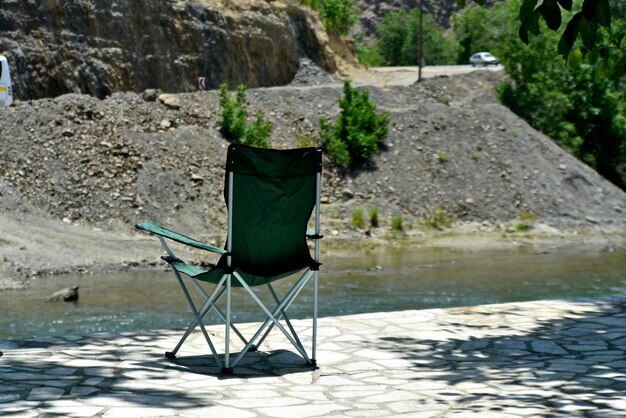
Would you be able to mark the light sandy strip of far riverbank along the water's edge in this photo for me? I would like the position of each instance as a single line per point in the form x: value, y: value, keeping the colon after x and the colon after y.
x: 42, y: 247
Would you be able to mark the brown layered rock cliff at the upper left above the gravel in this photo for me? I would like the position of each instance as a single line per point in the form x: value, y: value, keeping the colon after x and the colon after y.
x: 99, y: 47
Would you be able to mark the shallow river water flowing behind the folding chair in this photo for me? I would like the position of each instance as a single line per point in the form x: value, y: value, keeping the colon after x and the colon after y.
x: 382, y: 280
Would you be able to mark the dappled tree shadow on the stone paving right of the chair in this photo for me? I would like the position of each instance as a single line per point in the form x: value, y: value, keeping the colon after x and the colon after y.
x: 574, y: 365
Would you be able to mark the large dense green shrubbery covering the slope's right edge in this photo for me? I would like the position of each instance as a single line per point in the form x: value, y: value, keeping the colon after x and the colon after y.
x: 581, y: 111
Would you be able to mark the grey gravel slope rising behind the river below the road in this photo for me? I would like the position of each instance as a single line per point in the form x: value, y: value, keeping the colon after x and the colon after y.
x: 77, y: 172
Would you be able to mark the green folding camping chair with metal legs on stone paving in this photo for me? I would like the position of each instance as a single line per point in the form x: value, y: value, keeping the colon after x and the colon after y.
x: 270, y: 196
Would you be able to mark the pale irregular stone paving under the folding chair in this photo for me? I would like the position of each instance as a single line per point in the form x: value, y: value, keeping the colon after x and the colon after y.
x: 546, y: 358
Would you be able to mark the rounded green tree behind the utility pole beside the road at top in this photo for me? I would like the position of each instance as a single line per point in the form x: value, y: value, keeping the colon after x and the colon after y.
x: 398, y: 40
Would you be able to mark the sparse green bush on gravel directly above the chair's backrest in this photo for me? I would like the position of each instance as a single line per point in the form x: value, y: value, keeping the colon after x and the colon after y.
x: 234, y: 125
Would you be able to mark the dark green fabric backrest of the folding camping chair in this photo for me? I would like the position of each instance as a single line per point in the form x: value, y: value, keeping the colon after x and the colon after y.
x: 273, y: 195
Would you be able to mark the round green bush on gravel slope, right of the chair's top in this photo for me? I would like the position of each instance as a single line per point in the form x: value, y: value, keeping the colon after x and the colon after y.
x: 358, y: 131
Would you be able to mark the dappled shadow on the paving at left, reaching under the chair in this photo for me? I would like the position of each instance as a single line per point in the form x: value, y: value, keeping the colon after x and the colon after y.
x: 129, y: 371
